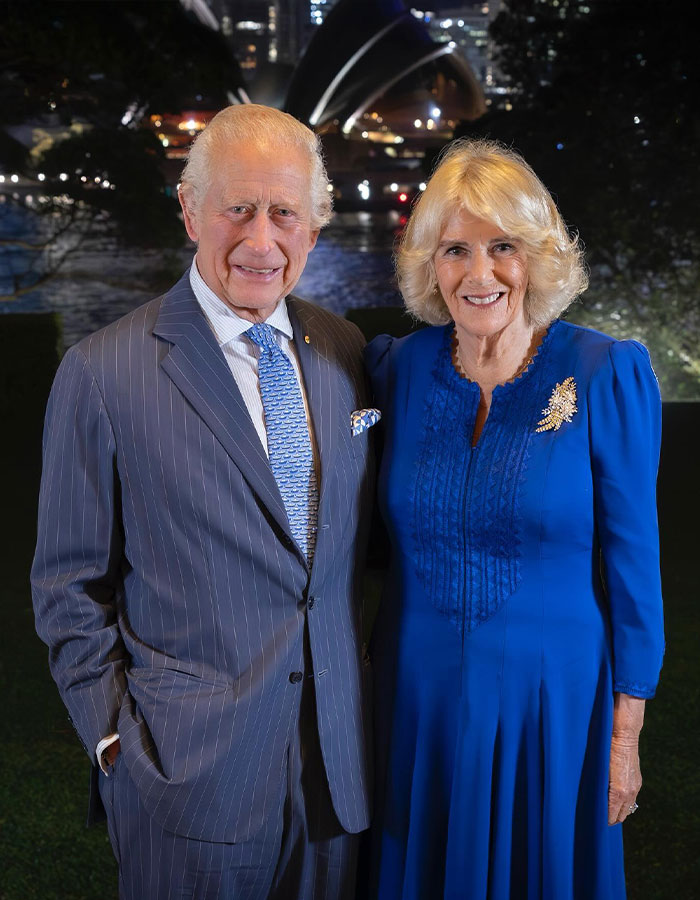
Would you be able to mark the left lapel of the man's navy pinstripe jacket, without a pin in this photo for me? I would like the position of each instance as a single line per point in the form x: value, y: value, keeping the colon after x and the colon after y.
x: 199, y: 369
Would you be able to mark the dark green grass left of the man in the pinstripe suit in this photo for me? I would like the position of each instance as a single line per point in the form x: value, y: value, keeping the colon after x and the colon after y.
x: 45, y: 849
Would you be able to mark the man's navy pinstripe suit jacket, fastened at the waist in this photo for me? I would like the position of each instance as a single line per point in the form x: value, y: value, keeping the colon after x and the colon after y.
x: 167, y: 583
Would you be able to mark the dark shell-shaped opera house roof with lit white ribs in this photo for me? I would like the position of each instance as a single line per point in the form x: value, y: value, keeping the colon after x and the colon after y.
x: 373, y: 60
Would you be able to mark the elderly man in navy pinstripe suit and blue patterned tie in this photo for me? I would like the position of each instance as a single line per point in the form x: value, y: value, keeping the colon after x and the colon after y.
x: 203, y: 517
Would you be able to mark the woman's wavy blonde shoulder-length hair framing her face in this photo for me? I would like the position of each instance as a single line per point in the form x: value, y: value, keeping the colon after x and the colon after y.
x: 493, y: 183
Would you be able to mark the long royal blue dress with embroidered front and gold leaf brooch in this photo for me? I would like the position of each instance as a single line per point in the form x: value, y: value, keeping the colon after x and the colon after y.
x: 524, y: 590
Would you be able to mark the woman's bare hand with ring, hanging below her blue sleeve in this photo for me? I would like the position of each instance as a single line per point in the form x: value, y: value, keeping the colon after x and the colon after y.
x: 625, y: 774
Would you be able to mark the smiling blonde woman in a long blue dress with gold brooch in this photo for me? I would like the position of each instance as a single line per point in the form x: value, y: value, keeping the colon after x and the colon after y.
x: 523, y: 628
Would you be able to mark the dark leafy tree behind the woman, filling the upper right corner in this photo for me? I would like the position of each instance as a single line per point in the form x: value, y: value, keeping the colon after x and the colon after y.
x: 604, y: 108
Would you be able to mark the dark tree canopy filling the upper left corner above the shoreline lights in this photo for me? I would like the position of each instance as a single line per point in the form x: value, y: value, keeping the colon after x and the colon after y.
x: 97, y: 60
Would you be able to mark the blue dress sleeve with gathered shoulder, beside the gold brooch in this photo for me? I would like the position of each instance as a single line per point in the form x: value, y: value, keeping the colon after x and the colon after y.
x: 625, y: 428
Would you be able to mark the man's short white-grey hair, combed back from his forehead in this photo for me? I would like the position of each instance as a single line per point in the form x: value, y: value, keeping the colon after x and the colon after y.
x: 267, y: 128
